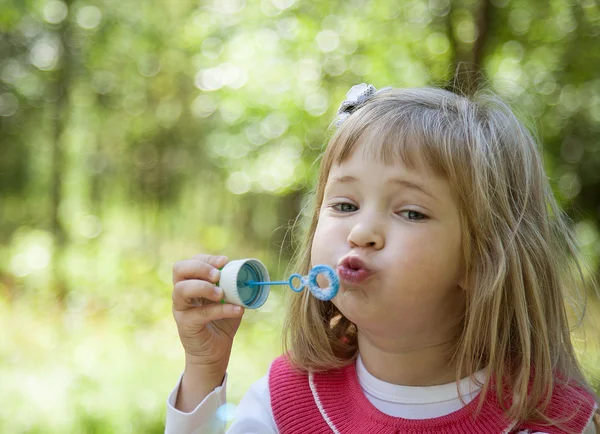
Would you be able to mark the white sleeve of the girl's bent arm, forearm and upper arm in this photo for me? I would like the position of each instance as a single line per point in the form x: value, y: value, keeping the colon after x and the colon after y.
x: 252, y: 416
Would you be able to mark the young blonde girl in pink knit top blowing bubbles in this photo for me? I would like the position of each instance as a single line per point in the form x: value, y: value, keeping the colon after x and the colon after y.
x: 454, y: 260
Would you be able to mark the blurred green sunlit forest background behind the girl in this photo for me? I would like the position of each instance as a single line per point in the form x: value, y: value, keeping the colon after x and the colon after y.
x: 135, y: 134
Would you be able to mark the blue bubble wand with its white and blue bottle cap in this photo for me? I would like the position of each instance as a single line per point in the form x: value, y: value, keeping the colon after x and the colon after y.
x: 246, y: 282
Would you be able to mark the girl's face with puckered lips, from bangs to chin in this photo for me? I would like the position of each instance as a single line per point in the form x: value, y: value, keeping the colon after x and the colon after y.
x: 394, y: 236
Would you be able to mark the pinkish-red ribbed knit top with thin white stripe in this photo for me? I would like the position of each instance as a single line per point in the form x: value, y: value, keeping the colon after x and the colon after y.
x: 329, y: 402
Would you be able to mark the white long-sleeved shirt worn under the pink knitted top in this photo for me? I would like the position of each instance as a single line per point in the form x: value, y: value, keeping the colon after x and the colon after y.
x: 255, y: 416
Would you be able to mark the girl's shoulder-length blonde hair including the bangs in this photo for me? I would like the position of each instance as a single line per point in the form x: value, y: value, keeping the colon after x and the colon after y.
x: 518, y: 247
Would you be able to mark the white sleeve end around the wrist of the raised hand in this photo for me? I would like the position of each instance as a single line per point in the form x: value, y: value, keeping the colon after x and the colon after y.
x: 202, y: 420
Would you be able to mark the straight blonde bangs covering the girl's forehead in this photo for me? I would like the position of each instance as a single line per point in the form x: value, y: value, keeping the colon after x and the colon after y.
x: 393, y: 137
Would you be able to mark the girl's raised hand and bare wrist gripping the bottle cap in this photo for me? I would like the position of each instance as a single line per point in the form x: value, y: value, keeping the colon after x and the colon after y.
x: 206, y: 327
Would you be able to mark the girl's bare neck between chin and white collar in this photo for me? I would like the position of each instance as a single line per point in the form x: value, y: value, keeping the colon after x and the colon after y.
x: 393, y: 361
